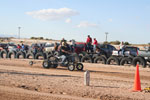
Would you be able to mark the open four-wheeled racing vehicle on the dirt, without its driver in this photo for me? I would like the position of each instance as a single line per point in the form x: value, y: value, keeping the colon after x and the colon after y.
x: 70, y: 62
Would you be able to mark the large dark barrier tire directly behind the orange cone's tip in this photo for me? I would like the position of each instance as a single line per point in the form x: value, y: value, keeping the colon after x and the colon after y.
x: 139, y: 60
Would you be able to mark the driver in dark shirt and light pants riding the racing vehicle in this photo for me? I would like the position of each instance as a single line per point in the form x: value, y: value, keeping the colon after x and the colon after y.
x: 64, y: 51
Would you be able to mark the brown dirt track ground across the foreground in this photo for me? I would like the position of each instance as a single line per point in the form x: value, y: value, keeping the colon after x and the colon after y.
x: 19, y: 81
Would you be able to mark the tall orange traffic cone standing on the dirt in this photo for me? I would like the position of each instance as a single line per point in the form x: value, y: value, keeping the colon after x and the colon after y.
x: 137, y: 83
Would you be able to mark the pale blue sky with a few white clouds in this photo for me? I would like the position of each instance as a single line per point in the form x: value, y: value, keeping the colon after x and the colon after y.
x: 124, y: 20
